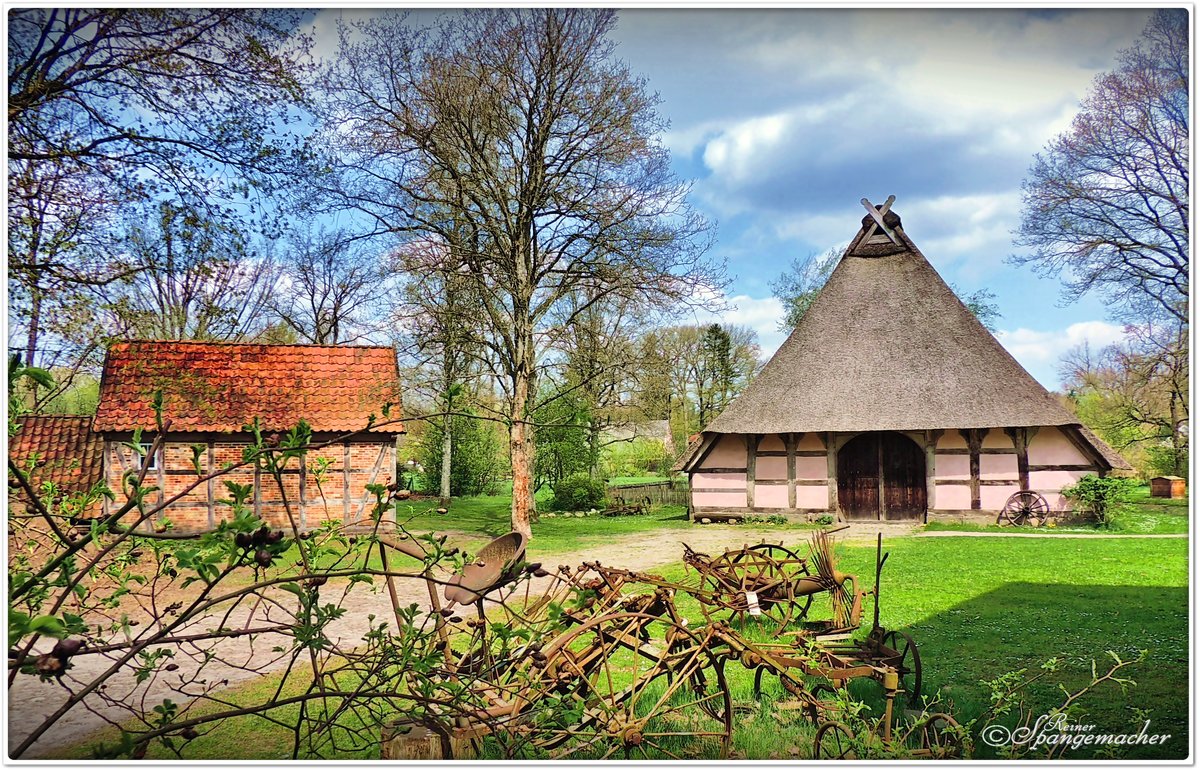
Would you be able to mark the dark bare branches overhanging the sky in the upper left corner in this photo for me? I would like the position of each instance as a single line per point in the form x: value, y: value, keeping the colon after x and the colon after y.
x: 117, y: 109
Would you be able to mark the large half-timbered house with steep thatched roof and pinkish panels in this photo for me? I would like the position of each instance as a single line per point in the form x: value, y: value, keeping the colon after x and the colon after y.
x: 890, y: 402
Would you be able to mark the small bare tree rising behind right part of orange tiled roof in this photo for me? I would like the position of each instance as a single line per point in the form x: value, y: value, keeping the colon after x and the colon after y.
x: 331, y: 289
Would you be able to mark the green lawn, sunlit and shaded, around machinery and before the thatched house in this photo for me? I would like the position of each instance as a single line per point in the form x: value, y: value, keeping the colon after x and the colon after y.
x: 977, y: 608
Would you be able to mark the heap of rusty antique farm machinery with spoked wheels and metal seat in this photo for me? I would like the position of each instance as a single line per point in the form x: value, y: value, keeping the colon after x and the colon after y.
x: 598, y: 662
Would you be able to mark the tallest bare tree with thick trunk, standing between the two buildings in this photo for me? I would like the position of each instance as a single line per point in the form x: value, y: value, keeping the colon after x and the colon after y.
x: 519, y: 140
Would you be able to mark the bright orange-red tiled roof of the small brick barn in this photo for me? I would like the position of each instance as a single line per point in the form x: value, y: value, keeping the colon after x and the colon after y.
x: 221, y: 387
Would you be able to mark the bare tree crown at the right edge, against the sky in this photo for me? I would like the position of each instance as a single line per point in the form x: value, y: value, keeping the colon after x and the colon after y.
x: 1107, y: 202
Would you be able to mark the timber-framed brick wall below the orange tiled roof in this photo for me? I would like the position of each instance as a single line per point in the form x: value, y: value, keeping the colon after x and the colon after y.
x: 332, y: 485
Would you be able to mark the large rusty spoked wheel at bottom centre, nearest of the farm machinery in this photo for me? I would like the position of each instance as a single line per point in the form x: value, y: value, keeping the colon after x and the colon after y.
x: 629, y: 685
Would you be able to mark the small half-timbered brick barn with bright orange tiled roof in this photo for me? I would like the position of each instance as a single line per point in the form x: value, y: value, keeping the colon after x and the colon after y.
x: 213, y: 391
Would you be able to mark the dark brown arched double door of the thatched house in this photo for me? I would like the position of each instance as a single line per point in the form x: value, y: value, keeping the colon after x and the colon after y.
x: 881, y: 476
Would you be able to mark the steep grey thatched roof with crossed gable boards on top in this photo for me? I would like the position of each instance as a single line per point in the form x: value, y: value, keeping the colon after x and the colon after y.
x: 887, y: 346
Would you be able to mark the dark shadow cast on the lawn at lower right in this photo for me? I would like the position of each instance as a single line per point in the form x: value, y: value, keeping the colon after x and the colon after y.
x: 1022, y: 625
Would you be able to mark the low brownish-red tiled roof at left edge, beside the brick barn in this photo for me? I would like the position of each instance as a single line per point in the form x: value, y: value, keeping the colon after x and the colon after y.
x: 62, y: 450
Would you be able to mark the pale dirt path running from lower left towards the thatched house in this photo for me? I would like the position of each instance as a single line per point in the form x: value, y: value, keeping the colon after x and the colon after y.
x: 32, y: 701
